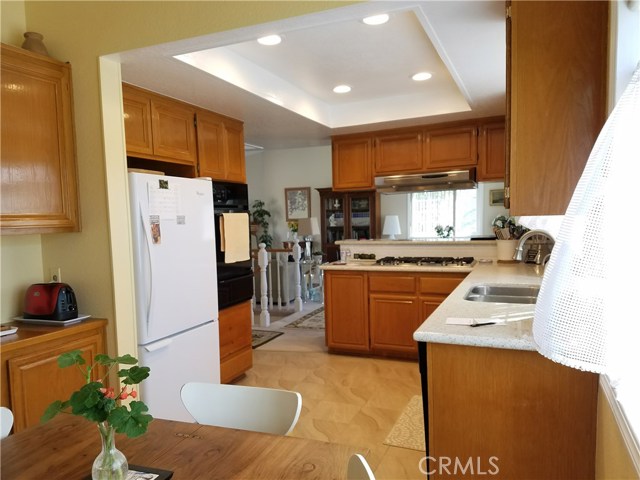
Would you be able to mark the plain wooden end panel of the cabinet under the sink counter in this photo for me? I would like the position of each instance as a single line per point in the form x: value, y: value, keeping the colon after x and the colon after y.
x: 514, y: 413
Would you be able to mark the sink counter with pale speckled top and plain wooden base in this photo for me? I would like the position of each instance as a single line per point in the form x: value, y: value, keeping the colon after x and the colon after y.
x: 492, y: 404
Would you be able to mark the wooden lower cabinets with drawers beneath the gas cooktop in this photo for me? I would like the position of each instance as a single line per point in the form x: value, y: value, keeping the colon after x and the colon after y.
x: 377, y: 313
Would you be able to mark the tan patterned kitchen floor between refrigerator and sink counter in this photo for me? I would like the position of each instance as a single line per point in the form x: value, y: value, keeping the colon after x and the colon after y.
x: 345, y: 399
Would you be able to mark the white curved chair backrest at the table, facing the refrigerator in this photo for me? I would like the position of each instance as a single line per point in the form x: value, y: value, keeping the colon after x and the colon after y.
x: 258, y: 409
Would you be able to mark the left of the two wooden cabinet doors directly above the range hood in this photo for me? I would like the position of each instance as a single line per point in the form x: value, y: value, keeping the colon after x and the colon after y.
x: 398, y: 153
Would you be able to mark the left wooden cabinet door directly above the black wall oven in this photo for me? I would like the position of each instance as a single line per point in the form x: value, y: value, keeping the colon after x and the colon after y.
x: 211, y: 149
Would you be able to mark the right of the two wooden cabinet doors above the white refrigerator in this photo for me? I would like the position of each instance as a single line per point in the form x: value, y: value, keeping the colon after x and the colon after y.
x: 174, y: 132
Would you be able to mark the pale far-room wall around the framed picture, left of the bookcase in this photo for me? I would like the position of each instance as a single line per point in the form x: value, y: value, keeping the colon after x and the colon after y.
x: 270, y: 172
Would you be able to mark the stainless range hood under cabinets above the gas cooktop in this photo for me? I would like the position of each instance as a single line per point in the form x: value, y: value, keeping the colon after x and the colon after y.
x: 427, y: 182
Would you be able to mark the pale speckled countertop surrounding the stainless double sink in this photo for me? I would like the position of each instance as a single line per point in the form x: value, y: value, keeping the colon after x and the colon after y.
x: 515, y: 320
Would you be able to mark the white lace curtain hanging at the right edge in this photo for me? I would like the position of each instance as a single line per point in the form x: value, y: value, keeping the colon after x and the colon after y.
x: 586, y: 316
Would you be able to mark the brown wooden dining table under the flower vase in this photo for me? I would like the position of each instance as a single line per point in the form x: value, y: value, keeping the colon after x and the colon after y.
x: 65, y: 448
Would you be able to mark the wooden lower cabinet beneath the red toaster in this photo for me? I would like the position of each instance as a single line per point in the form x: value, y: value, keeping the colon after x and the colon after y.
x: 31, y: 378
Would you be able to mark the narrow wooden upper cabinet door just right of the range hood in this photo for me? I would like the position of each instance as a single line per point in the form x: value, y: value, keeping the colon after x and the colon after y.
x: 491, y: 152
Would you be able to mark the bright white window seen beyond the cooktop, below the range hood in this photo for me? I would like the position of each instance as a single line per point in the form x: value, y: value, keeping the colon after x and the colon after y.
x: 457, y: 208
